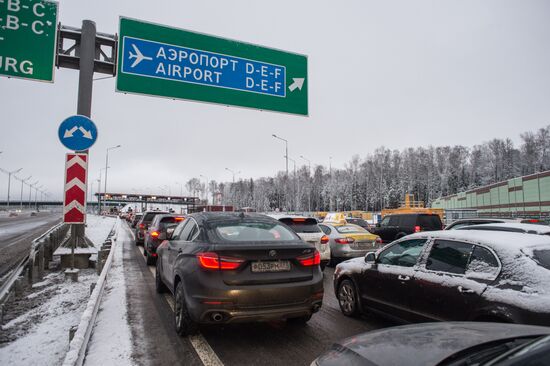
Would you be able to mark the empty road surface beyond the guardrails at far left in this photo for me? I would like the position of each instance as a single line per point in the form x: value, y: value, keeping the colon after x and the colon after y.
x: 17, y: 234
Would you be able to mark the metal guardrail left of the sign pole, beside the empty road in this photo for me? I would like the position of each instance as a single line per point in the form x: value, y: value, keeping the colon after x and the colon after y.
x: 55, y: 236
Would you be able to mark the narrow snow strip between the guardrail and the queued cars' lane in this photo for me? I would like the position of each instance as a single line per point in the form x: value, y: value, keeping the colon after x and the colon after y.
x: 111, y: 341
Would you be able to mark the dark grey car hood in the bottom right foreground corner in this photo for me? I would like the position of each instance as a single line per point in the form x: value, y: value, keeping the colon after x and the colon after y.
x: 420, y: 344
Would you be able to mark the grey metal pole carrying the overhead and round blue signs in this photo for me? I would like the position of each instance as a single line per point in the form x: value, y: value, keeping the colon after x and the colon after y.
x: 84, y: 104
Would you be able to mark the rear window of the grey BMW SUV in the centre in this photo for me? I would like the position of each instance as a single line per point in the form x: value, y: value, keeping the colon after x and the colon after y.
x: 252, y: 231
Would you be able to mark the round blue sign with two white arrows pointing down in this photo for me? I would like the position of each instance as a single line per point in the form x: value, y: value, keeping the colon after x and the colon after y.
x: 77, y: 133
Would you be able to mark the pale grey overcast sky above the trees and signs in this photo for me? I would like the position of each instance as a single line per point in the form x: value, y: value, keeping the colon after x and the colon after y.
x: 392, y: 73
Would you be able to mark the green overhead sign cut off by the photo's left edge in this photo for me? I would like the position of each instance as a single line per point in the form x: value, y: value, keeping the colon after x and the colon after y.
x: 28, y: 32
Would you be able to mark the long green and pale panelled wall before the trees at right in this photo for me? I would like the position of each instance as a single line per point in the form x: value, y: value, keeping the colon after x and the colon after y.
x: 527, y: 196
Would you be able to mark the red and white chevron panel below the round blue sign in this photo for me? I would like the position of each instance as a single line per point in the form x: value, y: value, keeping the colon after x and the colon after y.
x: 74, y: 203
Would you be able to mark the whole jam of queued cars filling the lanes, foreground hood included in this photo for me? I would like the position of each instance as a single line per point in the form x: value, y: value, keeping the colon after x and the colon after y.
x: 242, y: 267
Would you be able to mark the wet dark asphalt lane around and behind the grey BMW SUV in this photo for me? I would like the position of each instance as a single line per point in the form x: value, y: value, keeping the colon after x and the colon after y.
x: 272, y: 343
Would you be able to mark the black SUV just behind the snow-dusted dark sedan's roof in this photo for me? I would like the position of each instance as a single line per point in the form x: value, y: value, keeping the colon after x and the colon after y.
x: 396, y: 226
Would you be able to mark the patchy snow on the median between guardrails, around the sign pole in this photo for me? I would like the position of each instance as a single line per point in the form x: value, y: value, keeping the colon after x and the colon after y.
x: 40, y: 334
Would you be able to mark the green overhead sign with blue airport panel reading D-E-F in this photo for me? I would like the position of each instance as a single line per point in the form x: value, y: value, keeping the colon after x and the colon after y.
x: 167, y: 62
